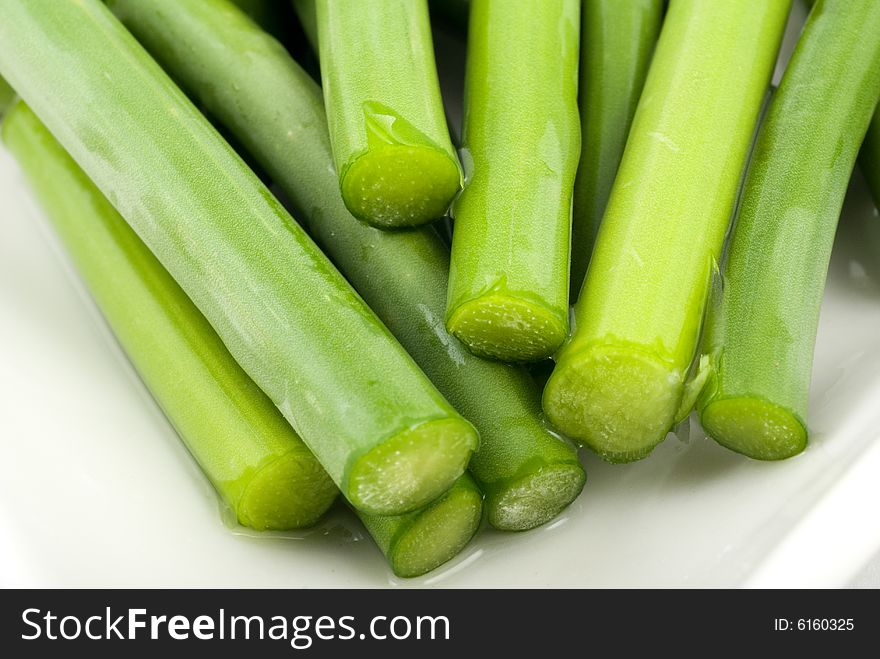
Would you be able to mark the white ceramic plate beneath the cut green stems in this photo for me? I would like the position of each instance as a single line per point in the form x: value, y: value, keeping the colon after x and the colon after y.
x: 97, y: 490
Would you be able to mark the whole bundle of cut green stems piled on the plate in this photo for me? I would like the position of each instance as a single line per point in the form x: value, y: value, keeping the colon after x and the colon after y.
x: 283, y: 383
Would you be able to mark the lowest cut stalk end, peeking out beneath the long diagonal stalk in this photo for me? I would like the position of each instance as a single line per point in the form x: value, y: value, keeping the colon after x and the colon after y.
x: 418, y: 542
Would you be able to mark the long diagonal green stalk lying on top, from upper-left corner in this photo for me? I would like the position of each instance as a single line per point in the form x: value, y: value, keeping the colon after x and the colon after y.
x: 385, y: 435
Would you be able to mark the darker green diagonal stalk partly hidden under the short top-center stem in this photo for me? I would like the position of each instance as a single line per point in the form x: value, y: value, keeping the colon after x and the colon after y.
x: 527, y: 473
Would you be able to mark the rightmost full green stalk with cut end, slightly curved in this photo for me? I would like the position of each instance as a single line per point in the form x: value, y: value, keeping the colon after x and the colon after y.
x: 761, y: 335
